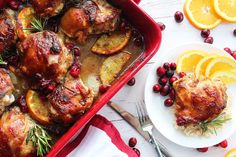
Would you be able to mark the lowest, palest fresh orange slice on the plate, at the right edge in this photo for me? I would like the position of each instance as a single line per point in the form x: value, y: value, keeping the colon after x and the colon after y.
x: 225, y: 76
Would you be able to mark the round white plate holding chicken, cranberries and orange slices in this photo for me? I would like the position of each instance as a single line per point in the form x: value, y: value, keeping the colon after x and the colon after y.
x: 163, y: 117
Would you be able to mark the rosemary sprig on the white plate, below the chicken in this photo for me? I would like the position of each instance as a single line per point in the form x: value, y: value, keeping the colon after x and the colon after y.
x: 210, y: 126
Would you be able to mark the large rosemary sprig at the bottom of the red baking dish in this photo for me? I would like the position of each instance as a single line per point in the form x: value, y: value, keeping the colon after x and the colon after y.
x: 40, y: 139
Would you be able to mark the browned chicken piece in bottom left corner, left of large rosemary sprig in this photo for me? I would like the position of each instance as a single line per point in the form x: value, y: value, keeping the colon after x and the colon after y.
x: 14, y: 129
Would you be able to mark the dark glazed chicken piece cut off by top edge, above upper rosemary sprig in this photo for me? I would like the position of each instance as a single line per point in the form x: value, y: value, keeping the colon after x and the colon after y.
x: 48, y: 8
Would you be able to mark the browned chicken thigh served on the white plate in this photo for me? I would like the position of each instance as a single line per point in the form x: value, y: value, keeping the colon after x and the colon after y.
x: 198, y: 100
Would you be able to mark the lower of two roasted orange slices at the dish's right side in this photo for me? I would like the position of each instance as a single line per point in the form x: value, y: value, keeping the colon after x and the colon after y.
x: 112, y: 66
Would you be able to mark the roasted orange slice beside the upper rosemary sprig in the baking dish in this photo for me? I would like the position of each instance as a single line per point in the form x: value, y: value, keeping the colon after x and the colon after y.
x: 24, y: 20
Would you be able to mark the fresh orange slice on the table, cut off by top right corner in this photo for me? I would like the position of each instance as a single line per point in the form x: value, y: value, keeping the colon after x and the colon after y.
x: 226, y: 9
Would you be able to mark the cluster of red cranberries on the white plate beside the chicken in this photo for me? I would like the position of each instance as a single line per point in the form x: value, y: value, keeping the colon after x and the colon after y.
x: 165, y: 82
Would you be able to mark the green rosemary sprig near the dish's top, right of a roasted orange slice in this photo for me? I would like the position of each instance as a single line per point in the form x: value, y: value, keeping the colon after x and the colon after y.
x: 37, y: 25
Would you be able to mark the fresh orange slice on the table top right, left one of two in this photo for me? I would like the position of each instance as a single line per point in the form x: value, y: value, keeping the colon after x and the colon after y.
x: 201, y: 13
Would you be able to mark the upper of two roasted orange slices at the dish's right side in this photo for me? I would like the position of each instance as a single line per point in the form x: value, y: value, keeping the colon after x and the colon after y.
x: 109, y: 44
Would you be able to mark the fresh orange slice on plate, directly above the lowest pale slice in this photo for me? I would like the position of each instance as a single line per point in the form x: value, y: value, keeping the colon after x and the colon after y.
x: 221, y: 63
